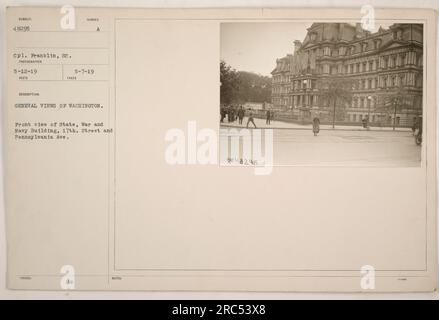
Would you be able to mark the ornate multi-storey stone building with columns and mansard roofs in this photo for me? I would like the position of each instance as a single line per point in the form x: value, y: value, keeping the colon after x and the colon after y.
x: 385, y: 69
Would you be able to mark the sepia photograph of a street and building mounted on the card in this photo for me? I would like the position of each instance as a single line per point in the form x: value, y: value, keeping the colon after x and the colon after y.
x: 333, y: 93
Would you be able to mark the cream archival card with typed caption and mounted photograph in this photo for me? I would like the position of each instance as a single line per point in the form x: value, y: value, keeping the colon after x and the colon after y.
x: 221, y: 149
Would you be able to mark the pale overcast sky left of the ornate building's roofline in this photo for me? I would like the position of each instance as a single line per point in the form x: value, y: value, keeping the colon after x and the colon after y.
x: 254, y: 47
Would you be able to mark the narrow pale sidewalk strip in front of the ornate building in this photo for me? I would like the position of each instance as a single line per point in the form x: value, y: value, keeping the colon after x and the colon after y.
x: 260, y: 123
